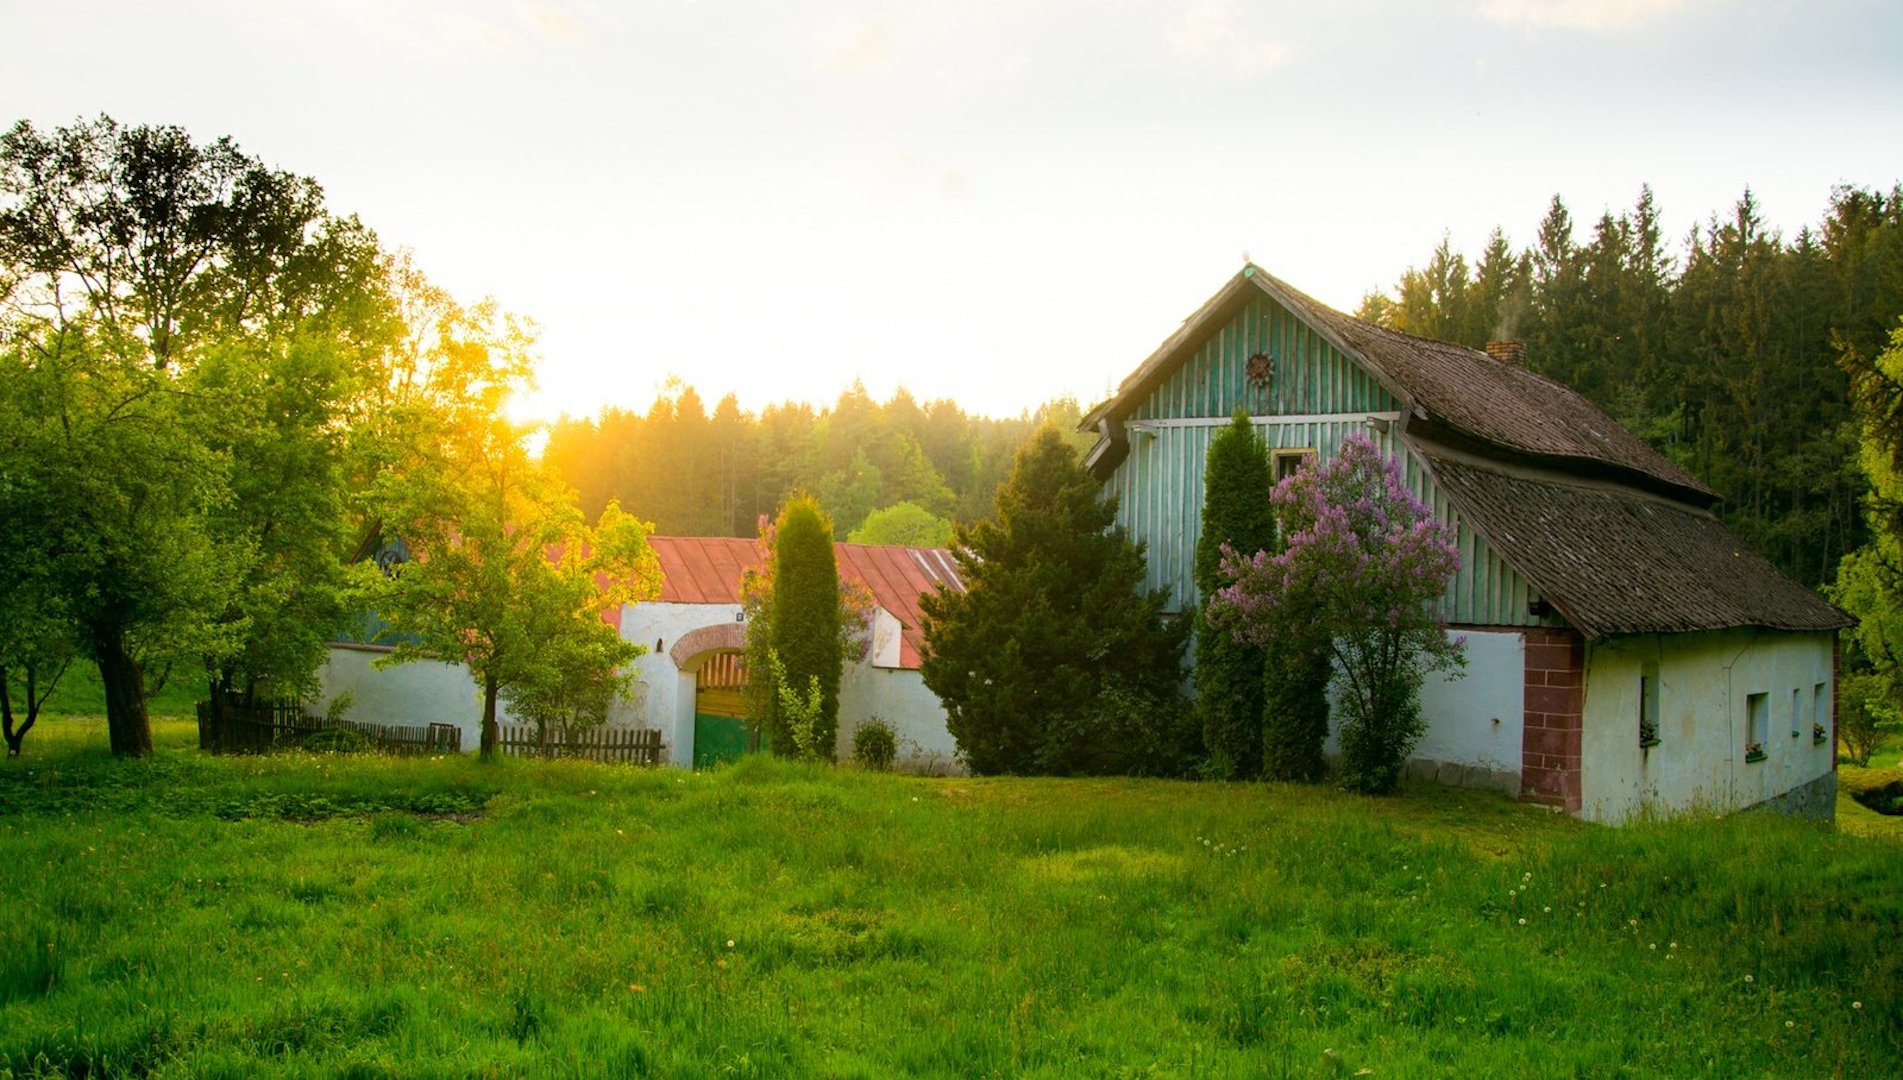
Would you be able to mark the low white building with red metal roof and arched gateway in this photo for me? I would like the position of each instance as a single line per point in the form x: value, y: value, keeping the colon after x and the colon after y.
x: 694, y: 680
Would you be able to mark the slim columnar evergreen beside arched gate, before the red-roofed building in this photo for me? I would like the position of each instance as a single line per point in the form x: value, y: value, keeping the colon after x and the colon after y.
x: 806, y: 621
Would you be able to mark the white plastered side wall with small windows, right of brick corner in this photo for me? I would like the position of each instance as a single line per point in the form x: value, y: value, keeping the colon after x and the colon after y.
x: 1704, y: 685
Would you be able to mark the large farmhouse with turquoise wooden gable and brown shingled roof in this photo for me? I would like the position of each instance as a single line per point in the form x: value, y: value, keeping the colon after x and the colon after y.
x: 1626, y: 651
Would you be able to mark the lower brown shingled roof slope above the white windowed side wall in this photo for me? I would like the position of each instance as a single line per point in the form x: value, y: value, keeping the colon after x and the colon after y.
x: 1613, y: 560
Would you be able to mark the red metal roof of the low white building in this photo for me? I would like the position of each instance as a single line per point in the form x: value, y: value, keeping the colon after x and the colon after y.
x: 707, y: 571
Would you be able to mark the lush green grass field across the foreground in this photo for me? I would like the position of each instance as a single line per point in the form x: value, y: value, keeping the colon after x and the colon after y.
x: 370, y: 917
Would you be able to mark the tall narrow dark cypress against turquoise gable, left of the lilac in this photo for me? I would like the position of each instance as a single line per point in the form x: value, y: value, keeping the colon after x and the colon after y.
x: 1230, y: 674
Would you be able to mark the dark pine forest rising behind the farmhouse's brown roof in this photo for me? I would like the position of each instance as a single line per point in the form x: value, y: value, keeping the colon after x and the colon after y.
x: 1727, y: 351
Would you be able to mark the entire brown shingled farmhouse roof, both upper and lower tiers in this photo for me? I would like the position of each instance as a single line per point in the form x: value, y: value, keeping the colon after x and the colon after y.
x: 1607, y: 530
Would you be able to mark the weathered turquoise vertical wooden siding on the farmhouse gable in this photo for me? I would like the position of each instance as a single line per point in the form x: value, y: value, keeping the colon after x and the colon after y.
x: 1160, y: 484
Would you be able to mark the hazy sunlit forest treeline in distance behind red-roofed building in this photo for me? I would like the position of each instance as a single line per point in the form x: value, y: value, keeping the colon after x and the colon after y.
x: 716, y: 474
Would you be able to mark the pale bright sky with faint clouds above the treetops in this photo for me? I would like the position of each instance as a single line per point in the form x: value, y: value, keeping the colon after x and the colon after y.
x: 991, y: 201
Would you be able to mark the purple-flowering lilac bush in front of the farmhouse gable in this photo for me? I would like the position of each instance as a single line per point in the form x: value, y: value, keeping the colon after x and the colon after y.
x: 1367, y: 562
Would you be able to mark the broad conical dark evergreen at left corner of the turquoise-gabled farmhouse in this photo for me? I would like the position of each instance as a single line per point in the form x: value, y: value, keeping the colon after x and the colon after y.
x: 1055, y: 659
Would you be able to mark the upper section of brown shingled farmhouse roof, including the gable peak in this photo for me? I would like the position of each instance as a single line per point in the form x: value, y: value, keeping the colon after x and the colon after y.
x: 1445, y: 385
